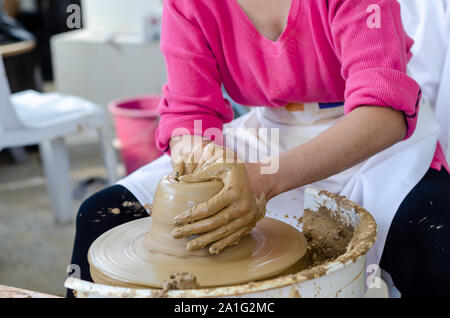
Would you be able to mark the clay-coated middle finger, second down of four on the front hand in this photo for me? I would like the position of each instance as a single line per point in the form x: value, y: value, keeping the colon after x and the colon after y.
x: 209, y: 224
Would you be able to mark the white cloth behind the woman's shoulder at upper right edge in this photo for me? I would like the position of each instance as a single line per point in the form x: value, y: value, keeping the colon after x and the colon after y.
x: 428, y: 23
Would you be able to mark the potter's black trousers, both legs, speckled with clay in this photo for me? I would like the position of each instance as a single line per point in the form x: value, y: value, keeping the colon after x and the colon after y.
x: 416, y: 254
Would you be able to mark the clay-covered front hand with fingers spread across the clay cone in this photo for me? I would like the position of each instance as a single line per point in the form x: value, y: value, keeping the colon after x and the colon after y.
x: 225, y: 218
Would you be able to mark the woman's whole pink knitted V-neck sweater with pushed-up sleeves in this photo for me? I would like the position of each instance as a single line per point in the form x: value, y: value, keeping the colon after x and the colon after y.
x: 327, y: 53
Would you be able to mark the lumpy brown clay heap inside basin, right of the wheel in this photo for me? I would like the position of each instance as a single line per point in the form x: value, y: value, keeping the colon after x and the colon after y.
x: 327, y: 237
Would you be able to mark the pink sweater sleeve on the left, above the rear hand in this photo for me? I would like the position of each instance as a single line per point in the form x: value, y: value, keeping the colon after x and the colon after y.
x: 192, y: 98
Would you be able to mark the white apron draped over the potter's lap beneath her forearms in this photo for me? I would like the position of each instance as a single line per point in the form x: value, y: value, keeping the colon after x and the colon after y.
x: 379, y: 184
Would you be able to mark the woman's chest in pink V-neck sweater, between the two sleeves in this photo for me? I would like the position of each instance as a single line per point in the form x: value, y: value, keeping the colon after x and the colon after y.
x: 299, y: 66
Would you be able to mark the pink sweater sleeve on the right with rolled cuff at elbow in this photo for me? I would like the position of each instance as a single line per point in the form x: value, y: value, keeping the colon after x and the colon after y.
x: 374, y: 50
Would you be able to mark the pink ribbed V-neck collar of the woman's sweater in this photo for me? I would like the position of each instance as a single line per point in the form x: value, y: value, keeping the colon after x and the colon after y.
x: 292, y: 16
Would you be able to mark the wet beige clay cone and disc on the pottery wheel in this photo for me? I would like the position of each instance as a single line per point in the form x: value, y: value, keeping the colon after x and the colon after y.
x: 143, y: 253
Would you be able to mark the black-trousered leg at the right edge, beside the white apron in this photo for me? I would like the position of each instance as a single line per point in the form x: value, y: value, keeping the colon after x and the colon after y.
x: 417, y: 245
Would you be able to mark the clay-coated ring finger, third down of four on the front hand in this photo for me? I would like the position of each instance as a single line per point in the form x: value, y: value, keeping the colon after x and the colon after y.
x: 219, y: 233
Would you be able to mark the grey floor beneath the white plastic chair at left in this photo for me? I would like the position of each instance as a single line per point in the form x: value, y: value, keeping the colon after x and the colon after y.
x: 34, y: 252
